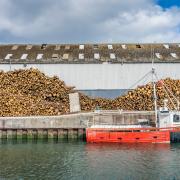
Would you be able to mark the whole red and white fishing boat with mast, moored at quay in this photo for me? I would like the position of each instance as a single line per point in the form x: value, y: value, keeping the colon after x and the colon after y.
x: 165, y: 130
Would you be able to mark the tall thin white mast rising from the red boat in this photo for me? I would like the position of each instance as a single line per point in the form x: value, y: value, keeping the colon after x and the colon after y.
x: 154, y: 85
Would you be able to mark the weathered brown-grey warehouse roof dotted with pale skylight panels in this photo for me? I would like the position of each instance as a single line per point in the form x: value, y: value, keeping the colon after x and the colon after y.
x: 73, y: 53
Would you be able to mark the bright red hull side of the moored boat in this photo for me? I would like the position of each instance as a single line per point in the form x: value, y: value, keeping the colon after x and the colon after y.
x: 128, y: 136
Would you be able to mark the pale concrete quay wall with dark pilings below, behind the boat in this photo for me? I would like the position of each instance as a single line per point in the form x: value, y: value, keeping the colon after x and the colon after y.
x: 70, y: 126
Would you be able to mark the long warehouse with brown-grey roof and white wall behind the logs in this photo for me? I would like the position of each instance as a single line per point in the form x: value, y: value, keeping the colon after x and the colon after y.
x: 105, y: 70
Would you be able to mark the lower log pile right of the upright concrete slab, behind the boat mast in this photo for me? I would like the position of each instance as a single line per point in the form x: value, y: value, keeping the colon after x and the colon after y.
x: 140, y: 99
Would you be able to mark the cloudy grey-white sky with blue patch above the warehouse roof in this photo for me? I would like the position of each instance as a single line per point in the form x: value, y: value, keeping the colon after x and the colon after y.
x: 89, y: 21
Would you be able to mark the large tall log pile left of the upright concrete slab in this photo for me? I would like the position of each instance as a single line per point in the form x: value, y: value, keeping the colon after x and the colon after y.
x: 30, y: 92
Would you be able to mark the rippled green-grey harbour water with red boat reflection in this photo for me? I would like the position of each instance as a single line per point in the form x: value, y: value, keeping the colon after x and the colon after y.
x: 79, y: 160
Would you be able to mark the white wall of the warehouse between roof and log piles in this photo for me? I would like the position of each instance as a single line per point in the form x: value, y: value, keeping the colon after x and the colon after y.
x: 102, y: 76
